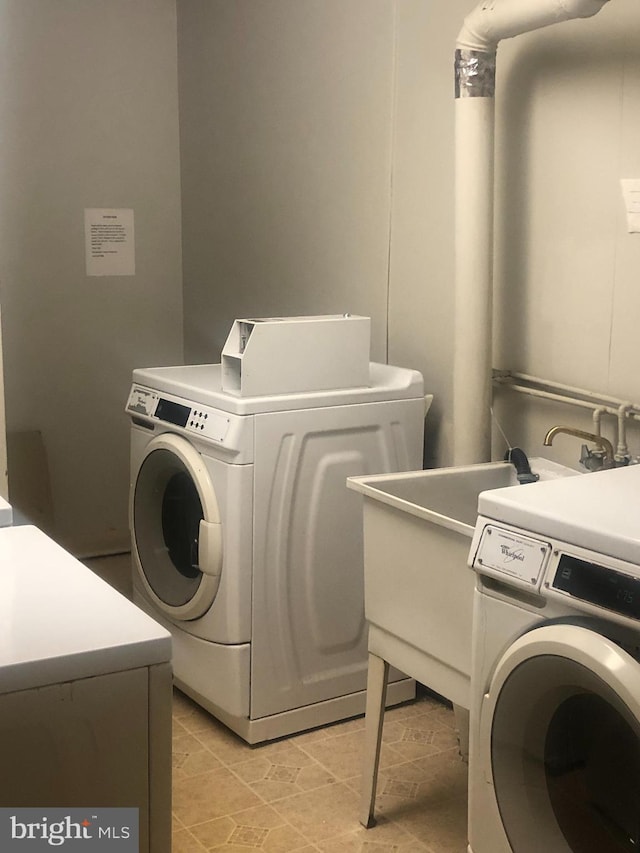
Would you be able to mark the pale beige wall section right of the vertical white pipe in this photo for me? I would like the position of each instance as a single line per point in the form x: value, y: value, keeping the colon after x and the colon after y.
x: 567, y: 295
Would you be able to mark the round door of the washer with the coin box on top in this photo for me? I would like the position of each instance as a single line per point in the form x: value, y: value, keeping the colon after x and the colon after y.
x: 176, y: 526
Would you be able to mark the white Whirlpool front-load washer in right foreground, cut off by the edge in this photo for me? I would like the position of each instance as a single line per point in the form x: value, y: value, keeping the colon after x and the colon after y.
x: 555, y: 719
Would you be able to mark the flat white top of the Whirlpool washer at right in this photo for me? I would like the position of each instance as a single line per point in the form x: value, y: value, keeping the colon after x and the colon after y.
x: 598, y: 511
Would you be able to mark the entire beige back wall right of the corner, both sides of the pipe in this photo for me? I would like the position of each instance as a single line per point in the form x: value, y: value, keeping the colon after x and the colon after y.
x: 317, y: 175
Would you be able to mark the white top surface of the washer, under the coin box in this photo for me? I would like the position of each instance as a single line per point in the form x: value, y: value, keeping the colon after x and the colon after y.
x: 202, y: 383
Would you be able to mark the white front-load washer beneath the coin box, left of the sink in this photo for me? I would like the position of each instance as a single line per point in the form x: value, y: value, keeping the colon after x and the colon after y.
x: 247, y: 544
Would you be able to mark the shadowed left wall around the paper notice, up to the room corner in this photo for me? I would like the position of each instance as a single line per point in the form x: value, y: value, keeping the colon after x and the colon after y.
x: 88, y: 118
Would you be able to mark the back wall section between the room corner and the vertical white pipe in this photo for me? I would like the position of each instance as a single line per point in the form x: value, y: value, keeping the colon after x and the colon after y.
x: 316, y: 171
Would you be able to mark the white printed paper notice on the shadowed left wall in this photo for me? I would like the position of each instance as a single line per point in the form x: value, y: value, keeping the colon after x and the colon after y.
x: 109, y: 241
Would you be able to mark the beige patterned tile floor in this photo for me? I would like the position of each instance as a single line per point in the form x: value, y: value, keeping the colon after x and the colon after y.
x: 302, y: 793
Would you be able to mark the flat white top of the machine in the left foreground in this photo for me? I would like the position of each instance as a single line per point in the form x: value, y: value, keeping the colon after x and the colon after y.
x: 60, y: 622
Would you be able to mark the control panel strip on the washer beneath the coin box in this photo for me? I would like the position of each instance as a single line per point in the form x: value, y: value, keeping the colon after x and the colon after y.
x: 202, y: 420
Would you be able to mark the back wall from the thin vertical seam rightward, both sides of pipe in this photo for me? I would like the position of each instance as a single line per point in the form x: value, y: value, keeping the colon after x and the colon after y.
x: 566, y: 298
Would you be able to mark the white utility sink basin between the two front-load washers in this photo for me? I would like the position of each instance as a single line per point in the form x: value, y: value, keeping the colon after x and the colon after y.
x: 418, y: 588
